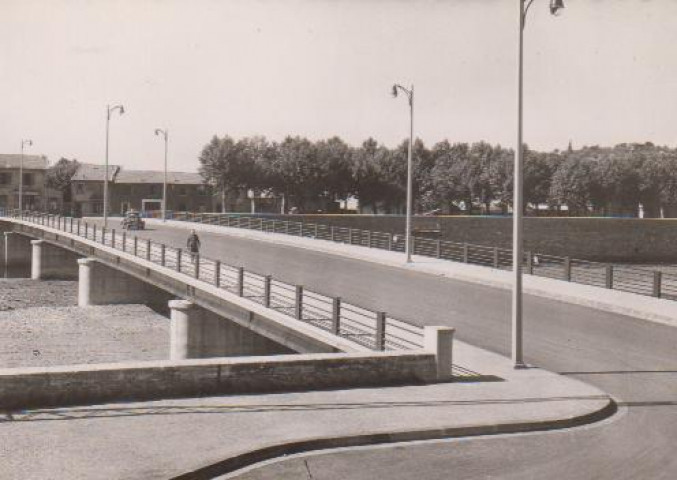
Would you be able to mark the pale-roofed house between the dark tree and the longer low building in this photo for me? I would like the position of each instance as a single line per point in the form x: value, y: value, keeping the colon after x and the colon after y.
x: 87, y: 188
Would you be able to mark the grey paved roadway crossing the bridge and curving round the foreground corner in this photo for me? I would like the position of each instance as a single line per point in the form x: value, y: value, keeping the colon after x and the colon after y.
x: 634, y: 360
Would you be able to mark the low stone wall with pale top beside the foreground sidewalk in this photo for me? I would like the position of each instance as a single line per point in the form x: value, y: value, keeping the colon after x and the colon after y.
x: 90, y: 384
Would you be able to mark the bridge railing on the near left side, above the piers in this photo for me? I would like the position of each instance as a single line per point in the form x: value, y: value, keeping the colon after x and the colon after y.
x: 374, y: 330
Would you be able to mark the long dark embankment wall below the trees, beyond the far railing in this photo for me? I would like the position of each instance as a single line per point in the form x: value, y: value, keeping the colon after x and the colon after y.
x: 602, y: 239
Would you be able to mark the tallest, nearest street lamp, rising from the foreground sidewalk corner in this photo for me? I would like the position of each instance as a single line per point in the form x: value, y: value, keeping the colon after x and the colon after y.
x: 518, y: 199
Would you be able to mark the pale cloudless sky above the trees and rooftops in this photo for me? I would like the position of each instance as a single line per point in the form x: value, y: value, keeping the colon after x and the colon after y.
x: 601, y: 72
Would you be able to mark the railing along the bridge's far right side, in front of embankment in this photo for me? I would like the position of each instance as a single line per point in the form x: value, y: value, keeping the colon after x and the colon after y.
x: 642, y: 281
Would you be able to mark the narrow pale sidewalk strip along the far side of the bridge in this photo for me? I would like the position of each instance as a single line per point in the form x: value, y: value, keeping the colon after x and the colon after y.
x: 638, y: 306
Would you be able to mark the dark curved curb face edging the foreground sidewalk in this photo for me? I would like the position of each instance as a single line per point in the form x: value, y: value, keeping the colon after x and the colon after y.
x: 247, y: 459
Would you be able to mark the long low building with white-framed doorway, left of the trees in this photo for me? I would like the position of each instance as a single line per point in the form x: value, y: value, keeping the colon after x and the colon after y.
x: 142, y: 190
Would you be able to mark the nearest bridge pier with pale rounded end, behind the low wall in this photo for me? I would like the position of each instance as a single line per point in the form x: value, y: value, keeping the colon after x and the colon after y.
x: 199, y: 333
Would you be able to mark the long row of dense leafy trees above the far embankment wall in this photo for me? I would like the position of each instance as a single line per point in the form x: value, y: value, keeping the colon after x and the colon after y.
x: 450, y: 177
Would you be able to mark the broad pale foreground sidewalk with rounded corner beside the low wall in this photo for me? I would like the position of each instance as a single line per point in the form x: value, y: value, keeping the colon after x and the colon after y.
x: 166, y: 439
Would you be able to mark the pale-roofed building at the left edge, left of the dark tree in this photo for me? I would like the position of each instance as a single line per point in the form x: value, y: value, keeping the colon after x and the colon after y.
x: 36, y: 196
